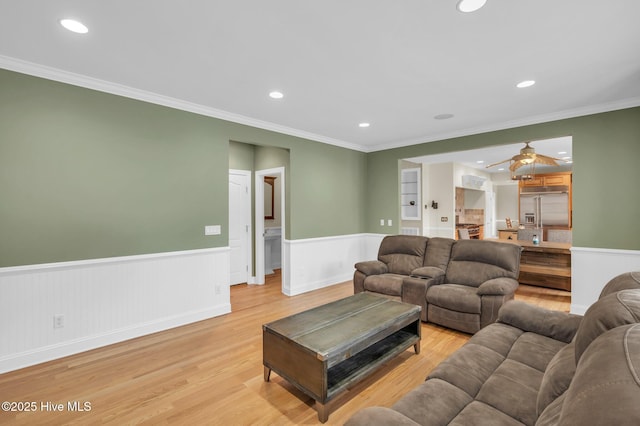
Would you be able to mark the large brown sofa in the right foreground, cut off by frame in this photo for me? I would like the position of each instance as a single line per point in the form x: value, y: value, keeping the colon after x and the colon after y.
x: 536, y: 367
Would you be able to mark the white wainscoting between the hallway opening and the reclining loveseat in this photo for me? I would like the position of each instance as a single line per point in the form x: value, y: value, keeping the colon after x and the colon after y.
x: 315, y: 263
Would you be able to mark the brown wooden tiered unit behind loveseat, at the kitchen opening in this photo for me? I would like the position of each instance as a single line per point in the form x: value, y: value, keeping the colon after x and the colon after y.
x: 547, y: 264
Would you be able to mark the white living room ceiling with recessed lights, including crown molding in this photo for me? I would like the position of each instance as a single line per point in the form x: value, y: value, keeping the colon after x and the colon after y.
x: 394, y: 64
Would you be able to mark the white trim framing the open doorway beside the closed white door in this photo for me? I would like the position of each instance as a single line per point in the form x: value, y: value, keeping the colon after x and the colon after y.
x: 259, y: 220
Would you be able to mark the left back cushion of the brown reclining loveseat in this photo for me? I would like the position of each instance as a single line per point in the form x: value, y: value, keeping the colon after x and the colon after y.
x: 402, y: 253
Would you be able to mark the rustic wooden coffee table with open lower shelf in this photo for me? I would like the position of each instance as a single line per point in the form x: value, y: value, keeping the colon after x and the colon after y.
x: 325, y: 350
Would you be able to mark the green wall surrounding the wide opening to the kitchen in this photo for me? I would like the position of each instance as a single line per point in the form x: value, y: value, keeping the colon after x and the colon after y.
x: 606, y: 199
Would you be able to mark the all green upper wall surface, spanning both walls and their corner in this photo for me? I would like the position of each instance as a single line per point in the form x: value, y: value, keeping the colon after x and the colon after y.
x: 85, y: 174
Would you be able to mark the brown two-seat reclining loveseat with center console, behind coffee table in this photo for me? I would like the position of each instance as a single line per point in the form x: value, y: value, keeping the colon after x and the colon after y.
x: 459, y: 284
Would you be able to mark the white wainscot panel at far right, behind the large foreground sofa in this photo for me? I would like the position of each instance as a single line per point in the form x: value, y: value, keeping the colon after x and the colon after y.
x: 592, y: 268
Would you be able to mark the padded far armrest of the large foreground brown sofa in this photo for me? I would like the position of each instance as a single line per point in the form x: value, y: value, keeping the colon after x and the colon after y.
x: 555, y: 324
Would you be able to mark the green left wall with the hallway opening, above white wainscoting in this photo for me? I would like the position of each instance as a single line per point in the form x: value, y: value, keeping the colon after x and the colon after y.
x: 85, y: 174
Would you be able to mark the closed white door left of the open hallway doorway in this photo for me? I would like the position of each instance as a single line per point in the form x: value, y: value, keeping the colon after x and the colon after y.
x: 239, y: 225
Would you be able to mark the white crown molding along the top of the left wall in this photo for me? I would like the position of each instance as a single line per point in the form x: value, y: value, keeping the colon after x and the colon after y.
x: 55, y: 74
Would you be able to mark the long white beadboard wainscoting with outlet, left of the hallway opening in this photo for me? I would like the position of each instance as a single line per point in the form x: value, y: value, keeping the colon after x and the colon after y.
x: 105, y: 301
